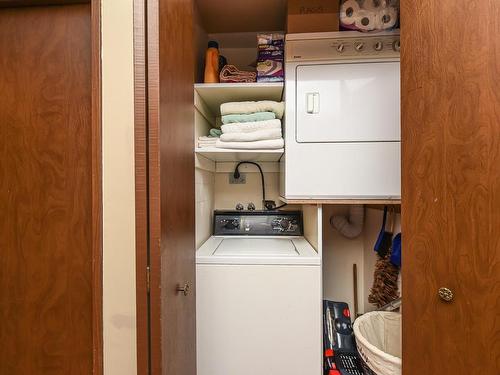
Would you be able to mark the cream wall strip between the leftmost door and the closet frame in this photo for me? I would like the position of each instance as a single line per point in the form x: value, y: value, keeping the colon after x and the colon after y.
x: 119, y: 309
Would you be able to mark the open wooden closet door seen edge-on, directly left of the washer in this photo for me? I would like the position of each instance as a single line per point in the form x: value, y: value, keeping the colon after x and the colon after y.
x: 171, y: 186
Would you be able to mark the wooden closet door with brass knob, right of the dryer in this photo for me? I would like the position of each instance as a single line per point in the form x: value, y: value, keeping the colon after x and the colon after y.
x: 450, y: 65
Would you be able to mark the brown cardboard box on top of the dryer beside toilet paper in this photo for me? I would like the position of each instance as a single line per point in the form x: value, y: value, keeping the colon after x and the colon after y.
x: 310, y: 16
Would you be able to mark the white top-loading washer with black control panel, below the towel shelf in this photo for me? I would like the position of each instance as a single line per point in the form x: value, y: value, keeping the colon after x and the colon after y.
x: 258, y: 299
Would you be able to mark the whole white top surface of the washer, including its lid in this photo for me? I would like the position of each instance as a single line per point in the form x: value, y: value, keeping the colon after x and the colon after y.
x: 266, y: 250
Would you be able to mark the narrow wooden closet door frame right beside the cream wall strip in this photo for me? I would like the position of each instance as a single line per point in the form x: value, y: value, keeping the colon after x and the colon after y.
x: 147, y: 180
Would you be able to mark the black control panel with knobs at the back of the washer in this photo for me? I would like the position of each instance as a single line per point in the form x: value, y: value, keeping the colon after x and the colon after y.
x: 258, y: 223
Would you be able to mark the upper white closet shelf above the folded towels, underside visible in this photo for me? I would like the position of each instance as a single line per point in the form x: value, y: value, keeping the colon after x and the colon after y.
x: 214, y: 94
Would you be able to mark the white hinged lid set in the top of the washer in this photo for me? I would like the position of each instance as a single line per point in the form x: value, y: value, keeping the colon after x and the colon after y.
x: 258, y: 247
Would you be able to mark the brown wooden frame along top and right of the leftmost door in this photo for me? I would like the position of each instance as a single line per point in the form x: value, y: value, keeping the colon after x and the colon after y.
x: 96, y: 166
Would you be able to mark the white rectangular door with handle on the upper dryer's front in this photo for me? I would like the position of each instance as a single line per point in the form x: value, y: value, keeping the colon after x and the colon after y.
x: 348, y: 102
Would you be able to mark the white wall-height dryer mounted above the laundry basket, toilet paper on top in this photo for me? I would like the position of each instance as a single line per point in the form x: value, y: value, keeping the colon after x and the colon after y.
x: 342, y: 123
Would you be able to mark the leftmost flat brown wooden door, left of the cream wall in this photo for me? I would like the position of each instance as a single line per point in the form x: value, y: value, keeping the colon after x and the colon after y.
x: 49, y: 193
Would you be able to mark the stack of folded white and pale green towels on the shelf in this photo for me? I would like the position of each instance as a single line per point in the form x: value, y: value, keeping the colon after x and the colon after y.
x: 251, y: 125
